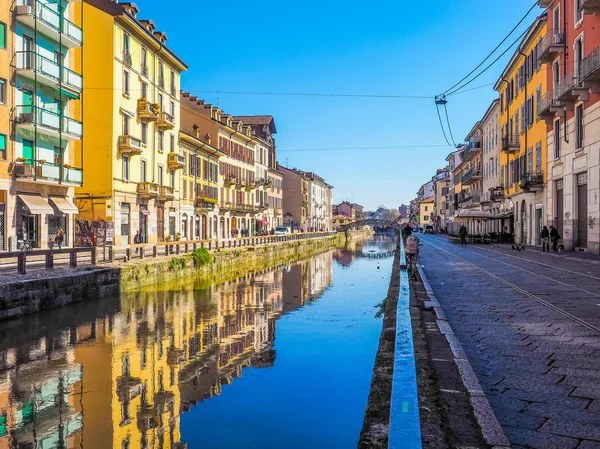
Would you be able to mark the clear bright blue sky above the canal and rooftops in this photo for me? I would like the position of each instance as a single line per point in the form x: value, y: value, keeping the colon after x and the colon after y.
x: 350, y: 47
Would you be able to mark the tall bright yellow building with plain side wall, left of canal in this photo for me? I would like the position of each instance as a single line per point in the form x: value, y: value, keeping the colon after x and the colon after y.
x: 130, y: 156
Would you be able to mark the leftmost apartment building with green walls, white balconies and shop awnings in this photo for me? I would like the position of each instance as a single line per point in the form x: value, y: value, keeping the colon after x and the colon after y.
x: 40, y: 122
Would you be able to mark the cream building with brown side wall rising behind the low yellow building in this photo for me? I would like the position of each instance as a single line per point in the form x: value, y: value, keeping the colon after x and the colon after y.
x: 237, y: 207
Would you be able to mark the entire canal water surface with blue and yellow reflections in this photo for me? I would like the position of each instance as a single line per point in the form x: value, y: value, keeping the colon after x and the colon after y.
x: 278, y: 359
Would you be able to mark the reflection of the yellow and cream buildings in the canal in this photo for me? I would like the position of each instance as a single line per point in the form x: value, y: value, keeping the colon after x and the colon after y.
x: 121, y: 379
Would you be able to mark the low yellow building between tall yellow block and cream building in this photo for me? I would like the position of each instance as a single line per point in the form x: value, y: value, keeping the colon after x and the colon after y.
x: 199, y: 192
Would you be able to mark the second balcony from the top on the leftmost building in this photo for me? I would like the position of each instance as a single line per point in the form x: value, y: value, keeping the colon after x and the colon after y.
x: 45, y: 71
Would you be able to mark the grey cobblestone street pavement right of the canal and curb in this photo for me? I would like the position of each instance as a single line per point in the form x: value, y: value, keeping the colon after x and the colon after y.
x: 530, y: 325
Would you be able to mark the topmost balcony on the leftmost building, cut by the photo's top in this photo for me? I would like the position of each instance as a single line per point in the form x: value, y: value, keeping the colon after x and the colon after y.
x: 40, y: 17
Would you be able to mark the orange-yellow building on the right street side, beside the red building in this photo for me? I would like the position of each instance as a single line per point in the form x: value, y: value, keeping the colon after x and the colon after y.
x: 523, y: 142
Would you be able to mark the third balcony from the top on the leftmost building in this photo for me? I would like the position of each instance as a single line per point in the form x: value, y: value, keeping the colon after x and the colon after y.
x: 33, y: 119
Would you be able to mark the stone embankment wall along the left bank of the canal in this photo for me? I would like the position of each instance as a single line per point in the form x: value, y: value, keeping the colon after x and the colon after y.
x: 50, y: 290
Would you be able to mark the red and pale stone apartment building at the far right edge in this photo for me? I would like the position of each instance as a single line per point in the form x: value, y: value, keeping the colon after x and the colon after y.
x: 571, y: 109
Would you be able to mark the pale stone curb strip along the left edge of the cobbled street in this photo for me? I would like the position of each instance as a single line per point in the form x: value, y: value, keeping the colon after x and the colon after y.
x: 490, y: 427
